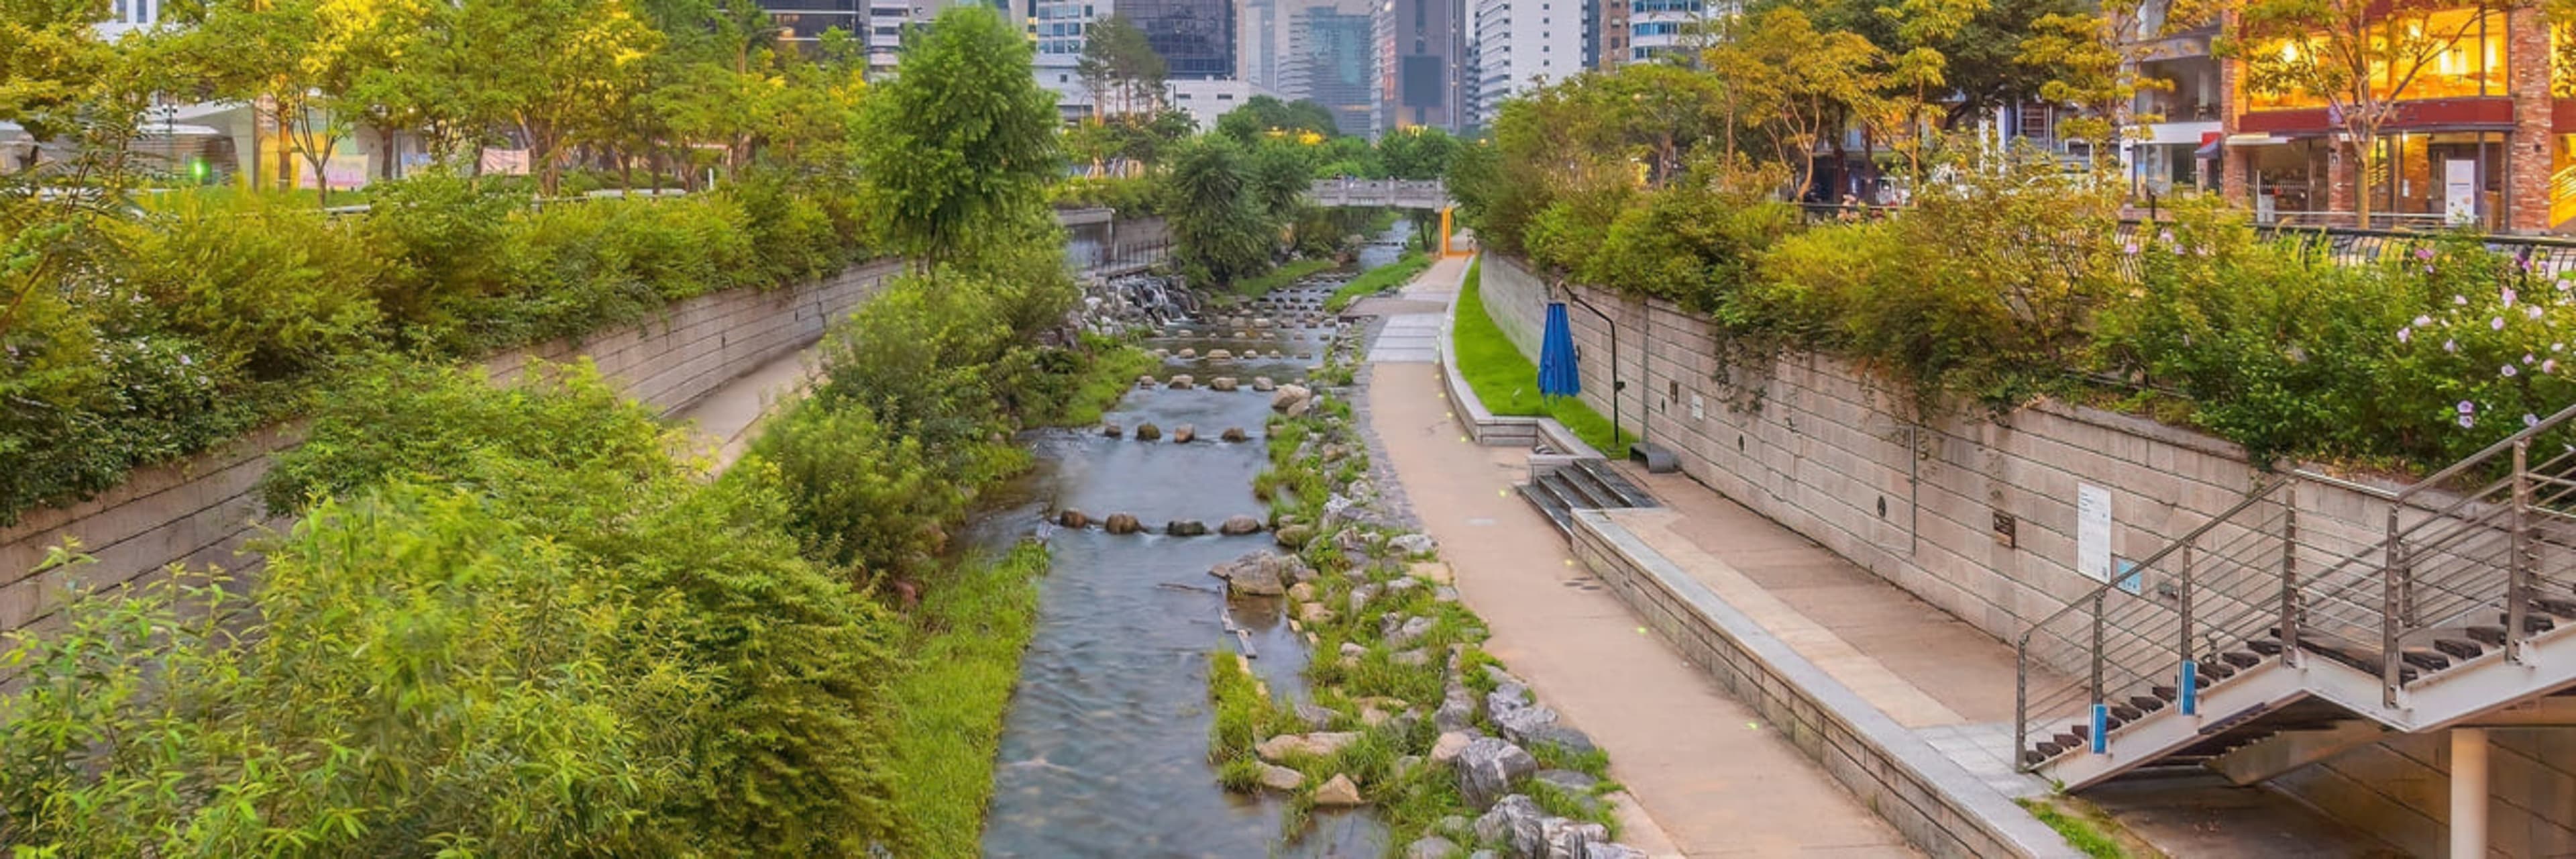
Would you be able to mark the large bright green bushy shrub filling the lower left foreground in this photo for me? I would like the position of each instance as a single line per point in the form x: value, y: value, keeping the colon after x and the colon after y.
x: 488, y: 641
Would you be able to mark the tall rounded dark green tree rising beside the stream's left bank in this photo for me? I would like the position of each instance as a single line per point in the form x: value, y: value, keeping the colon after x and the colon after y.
x: 962, y: 135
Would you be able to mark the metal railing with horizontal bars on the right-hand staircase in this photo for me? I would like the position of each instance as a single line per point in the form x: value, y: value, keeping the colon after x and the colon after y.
x: 2467, y: 553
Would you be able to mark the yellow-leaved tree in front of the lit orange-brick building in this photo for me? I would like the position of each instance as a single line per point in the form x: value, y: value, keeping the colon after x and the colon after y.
x: 2361, y: 58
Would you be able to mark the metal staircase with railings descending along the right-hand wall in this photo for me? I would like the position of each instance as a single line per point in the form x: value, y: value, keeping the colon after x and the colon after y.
x: 2281, y: 620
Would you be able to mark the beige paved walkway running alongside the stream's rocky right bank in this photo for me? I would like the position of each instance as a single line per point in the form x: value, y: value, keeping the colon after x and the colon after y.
x: 1704, y: 767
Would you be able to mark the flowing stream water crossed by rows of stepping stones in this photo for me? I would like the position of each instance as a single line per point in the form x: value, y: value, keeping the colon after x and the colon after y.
x: 1106, y: 744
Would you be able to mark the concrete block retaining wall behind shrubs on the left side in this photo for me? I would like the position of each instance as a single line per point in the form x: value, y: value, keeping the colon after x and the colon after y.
x: 202, y: 509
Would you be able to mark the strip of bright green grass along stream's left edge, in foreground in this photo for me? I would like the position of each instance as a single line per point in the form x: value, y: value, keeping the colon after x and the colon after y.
x: 965, y: 646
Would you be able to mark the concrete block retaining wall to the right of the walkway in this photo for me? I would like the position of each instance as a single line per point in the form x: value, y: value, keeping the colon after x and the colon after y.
x: 1833, y: 453
